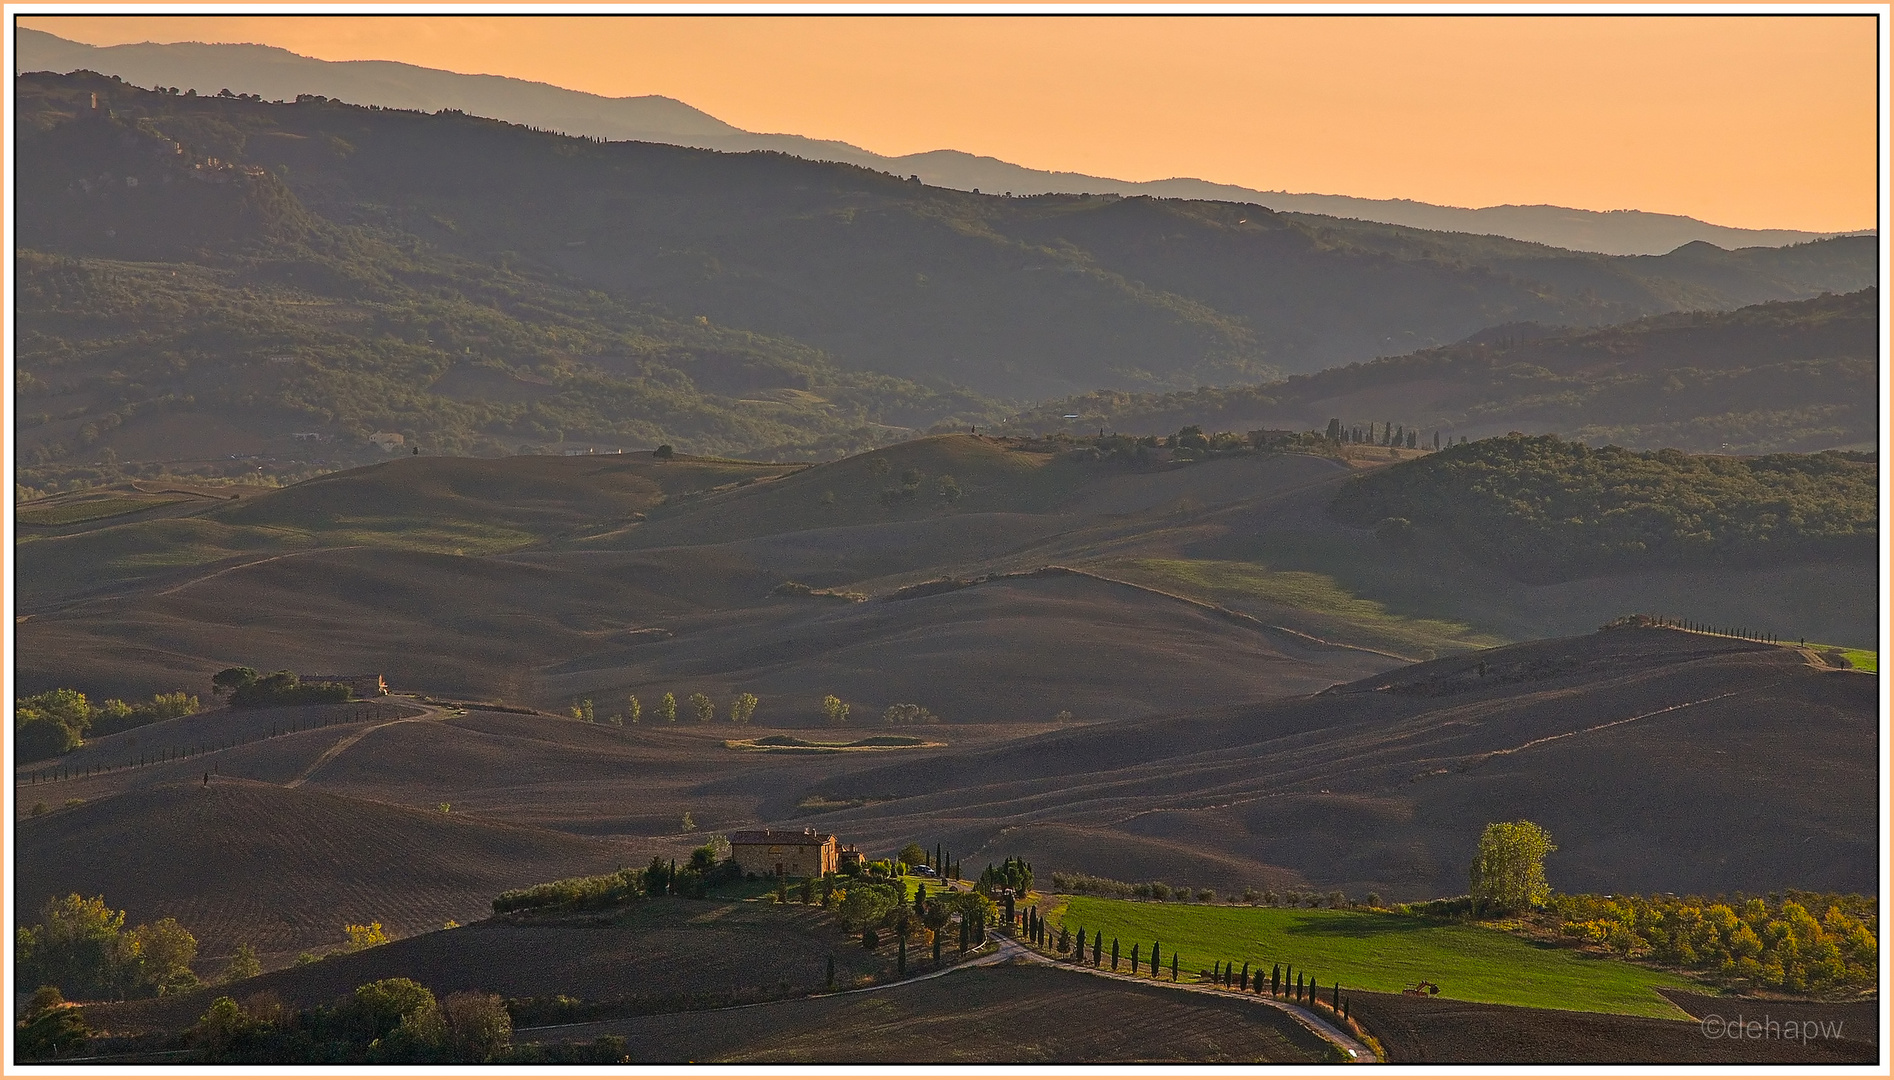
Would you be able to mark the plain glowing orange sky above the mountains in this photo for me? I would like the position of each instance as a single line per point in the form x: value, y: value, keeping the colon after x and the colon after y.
x: 1742, y: 120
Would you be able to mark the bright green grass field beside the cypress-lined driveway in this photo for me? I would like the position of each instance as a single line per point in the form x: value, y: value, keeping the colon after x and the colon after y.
x: 1384, y: 952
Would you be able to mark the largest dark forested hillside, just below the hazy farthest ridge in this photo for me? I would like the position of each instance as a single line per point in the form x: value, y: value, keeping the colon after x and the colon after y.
x: 205, y: 278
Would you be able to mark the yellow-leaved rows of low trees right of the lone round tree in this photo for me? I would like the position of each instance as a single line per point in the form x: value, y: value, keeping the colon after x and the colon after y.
x: 1796, y: 943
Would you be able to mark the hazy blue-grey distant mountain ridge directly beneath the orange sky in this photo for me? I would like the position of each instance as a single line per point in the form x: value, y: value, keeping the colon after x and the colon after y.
x: 276, y: 73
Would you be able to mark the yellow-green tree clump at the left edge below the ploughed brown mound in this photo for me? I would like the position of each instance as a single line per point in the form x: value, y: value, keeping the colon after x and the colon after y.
x: 82, y: 948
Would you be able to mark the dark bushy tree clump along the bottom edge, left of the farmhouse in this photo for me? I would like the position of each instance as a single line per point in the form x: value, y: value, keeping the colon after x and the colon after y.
x: 384, y: 1022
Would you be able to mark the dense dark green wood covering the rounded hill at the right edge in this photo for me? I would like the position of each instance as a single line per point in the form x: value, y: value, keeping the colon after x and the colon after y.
x: 1550, y: 511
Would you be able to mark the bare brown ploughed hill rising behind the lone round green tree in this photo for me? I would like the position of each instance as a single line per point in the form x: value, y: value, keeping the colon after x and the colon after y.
x: 1635, y: 747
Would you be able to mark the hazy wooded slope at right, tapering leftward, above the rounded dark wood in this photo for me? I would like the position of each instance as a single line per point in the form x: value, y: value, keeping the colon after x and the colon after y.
x: 1793, y: 376
